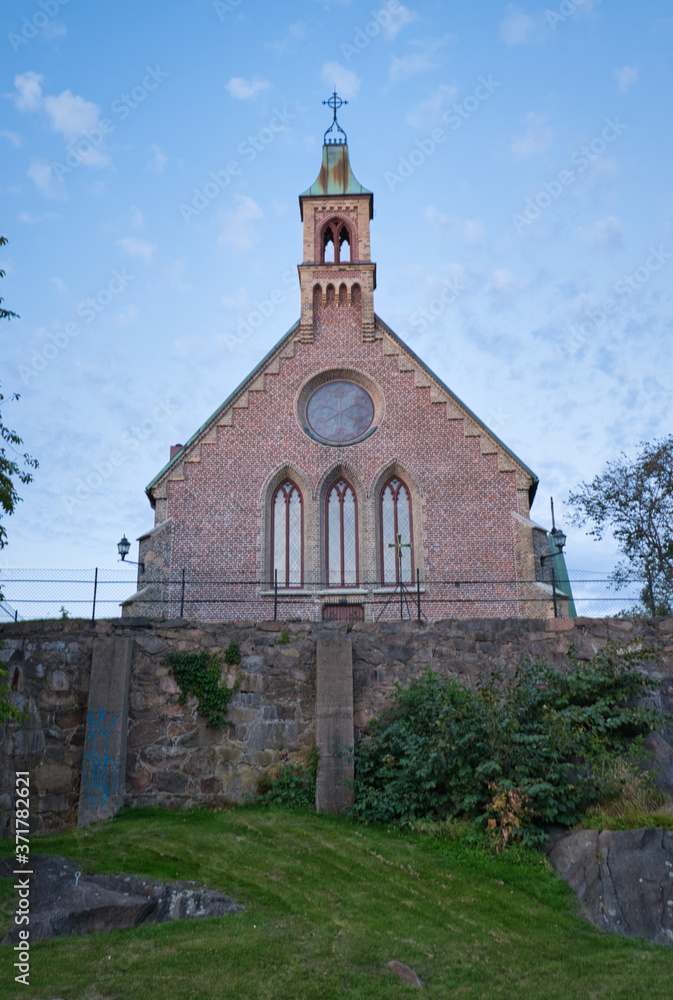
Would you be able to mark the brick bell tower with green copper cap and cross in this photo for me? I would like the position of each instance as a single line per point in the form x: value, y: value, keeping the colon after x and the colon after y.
x: 337, y: 270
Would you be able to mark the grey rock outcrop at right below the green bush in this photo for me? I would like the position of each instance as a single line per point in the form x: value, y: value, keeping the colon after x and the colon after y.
x: 623, y: 879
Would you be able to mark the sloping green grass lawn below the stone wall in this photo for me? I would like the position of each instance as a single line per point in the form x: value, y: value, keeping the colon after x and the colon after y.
x: 328, y: 904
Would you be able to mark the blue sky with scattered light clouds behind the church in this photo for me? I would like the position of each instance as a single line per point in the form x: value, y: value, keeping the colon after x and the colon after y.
x: 520, y: 158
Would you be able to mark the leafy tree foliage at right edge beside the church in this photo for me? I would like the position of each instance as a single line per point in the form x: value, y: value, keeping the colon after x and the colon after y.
x: 634, y: 500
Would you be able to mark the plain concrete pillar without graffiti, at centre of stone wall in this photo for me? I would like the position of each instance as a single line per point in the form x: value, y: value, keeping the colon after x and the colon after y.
x: 334, y: 723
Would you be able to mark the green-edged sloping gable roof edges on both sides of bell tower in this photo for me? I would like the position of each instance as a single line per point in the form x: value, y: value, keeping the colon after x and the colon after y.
x: 274, y: 354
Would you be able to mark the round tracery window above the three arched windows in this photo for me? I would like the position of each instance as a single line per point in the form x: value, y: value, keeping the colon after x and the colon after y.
x: 340, y: 412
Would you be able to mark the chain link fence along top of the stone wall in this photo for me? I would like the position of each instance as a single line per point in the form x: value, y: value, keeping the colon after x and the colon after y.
x: 34, y: 594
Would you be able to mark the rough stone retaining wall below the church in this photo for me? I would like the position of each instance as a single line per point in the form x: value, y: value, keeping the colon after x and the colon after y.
x: 173, y: 757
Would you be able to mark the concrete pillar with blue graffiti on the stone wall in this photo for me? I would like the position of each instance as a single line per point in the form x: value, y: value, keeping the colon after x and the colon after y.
x: 104, y: 761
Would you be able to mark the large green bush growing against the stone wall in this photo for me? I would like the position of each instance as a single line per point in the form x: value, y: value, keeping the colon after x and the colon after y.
x: 513, y: 755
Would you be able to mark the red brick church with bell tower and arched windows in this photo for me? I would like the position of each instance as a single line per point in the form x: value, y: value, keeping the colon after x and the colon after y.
x: 342, y: 479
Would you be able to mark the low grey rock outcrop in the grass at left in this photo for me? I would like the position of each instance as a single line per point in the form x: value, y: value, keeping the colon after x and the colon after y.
x: 65, y: 901
